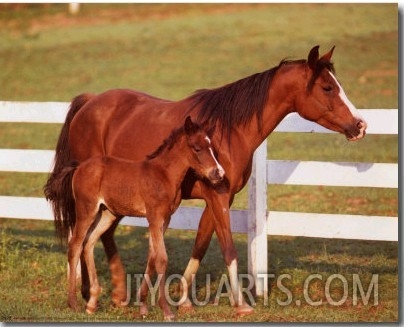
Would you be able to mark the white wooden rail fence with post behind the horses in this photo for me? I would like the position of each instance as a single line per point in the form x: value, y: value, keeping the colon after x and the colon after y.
x: 257, y: 221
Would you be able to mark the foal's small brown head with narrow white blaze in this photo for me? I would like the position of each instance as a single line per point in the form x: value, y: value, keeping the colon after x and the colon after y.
x: 202, y: 158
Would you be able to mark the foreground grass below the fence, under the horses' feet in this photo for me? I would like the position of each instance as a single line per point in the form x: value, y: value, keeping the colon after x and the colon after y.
x: 33, y: 277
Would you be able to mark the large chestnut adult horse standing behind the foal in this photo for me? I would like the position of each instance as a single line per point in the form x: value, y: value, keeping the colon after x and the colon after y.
x: 242, y: 114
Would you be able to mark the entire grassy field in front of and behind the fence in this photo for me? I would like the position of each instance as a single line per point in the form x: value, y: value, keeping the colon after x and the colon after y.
x: 169, y: 51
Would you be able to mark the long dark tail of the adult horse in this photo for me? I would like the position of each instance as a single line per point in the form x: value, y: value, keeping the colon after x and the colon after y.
x: 58, y: 188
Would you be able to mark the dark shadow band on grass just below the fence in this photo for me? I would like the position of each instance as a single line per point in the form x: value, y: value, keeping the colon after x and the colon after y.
x: 285, y: 254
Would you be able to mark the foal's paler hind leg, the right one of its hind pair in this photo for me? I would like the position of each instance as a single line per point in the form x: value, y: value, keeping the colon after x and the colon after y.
x: 106, y: 220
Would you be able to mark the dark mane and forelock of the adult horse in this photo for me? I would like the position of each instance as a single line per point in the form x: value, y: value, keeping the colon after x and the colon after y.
x: 237, y: 103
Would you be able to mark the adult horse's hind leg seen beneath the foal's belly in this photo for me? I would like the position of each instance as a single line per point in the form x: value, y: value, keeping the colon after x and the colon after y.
x: 118, y: 274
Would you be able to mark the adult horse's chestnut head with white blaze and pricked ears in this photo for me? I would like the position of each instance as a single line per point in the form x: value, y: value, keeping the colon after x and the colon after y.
x: 324, y: 101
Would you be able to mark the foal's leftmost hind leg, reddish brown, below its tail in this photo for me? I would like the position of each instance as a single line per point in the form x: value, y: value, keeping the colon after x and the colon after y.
x: 83, y: 224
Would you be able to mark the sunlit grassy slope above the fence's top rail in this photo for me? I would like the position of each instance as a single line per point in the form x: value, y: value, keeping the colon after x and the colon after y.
x: 172, y: 55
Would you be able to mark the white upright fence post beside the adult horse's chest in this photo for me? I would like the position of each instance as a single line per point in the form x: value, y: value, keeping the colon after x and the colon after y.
x: 257, y: 220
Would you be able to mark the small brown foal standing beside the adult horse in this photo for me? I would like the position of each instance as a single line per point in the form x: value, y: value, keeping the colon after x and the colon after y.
x: 107, y: 188
